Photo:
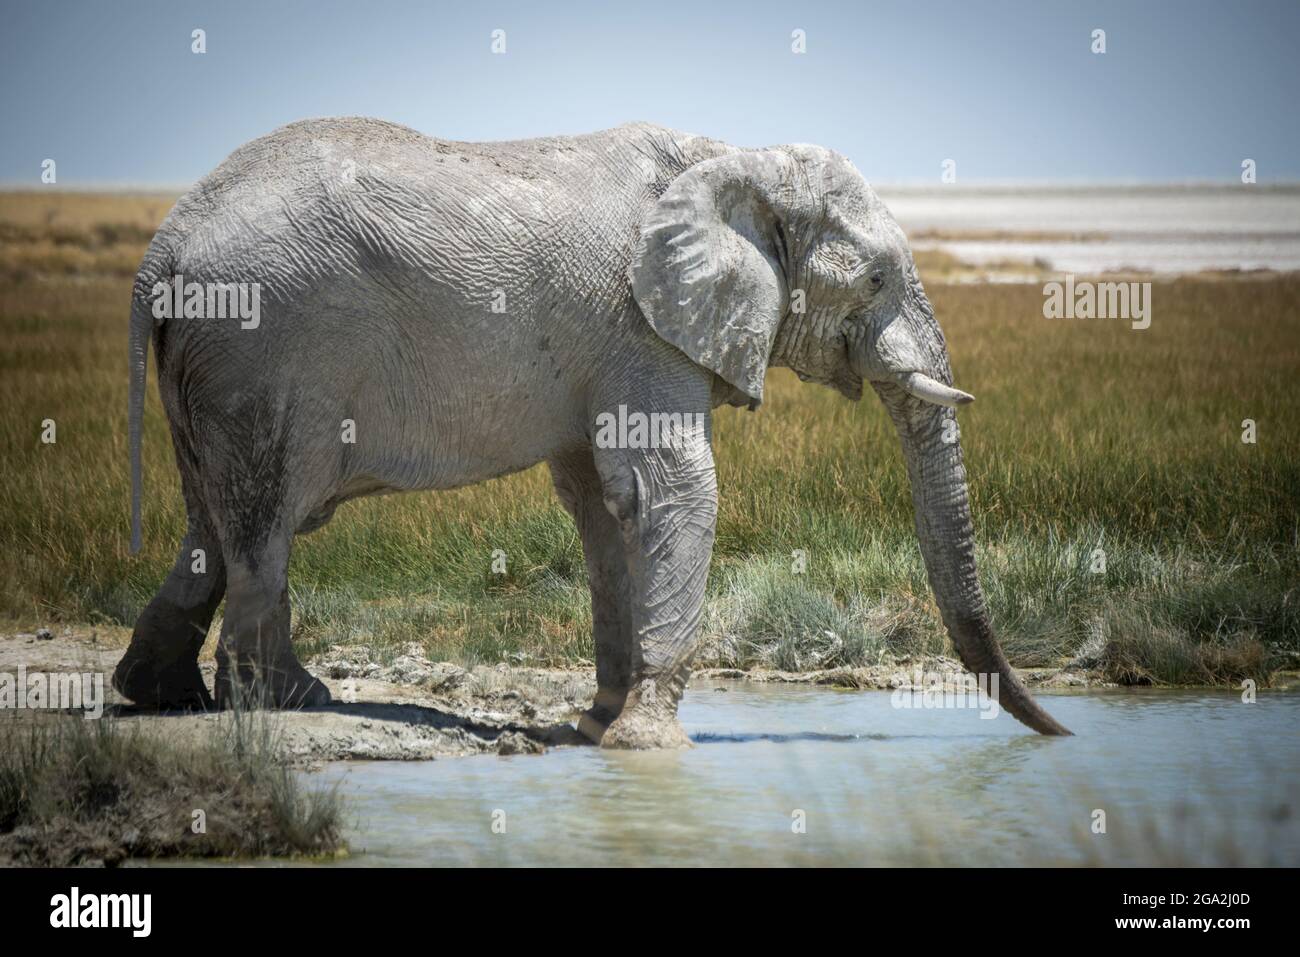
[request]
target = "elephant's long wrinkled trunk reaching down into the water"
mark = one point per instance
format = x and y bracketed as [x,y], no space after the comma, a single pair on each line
[948,548]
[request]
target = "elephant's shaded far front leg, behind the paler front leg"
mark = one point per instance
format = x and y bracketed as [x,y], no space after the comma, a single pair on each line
[579,488]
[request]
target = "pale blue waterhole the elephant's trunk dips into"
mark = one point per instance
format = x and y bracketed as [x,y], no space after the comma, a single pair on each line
[1182,778]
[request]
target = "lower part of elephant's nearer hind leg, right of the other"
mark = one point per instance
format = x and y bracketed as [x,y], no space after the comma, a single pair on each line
[257,665]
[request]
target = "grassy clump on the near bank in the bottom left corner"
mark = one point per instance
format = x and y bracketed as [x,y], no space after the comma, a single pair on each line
[77,793]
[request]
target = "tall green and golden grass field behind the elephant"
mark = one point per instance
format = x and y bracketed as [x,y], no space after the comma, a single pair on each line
[1085,436]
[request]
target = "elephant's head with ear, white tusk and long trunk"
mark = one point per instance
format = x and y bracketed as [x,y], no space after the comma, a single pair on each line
[786,257]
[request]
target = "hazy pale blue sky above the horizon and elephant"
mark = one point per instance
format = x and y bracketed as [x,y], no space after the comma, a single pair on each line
[1009,90]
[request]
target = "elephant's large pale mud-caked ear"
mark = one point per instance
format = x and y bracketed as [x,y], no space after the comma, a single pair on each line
[709,267]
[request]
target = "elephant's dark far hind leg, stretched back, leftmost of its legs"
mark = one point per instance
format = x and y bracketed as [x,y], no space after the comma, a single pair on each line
[161,669]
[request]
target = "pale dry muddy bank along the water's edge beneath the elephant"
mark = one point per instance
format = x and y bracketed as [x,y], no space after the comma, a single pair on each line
[414,709]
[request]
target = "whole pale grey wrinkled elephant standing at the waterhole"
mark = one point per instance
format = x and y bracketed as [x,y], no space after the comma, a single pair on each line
[640,267]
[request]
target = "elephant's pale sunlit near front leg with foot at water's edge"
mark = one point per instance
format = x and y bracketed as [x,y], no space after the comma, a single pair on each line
[666,504]
